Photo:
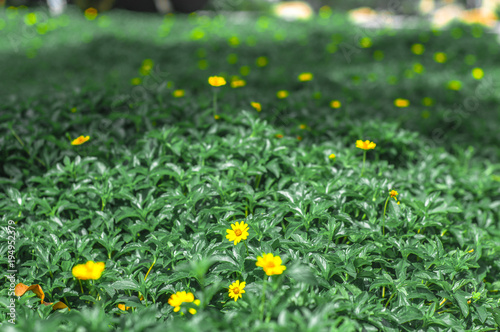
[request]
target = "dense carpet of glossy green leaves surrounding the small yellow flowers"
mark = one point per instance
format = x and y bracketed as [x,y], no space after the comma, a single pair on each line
[161,180]
